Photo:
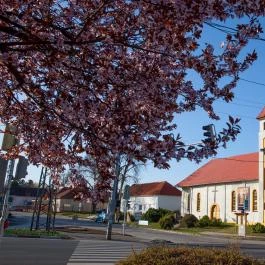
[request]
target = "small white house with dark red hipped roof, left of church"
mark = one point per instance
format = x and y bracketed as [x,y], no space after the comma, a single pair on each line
[153,195]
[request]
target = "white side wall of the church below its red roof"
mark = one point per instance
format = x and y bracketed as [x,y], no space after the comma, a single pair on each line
[223,199]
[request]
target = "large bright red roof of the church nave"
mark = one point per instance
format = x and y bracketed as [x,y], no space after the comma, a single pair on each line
[224,170]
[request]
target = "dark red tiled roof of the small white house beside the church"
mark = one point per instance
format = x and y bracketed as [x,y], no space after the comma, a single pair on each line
[154,188]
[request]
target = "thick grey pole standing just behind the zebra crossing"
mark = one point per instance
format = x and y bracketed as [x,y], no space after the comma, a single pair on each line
[112,204]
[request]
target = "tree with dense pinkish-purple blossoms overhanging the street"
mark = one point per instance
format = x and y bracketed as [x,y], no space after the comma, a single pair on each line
[102,78]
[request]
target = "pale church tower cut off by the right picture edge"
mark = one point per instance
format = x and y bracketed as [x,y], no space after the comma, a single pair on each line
[261,196]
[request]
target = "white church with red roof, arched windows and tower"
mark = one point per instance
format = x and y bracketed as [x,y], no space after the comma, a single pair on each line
[226,186]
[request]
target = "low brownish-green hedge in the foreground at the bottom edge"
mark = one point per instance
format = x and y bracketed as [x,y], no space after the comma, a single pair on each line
[192,256]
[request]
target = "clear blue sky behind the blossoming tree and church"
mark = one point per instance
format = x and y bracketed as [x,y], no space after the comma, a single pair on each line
[248,102]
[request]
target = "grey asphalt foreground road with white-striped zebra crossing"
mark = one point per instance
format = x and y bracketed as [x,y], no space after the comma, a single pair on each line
[28,251]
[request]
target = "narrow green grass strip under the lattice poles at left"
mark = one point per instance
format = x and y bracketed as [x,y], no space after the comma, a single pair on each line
[25,232]
